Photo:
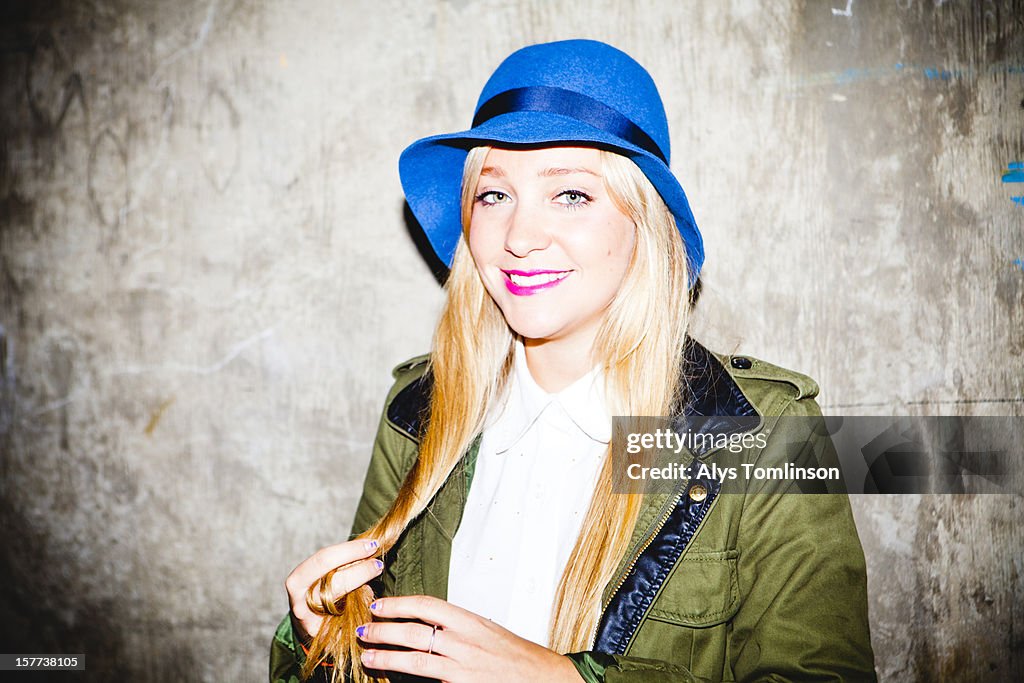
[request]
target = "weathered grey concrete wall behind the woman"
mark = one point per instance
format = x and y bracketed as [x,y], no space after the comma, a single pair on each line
[206,276]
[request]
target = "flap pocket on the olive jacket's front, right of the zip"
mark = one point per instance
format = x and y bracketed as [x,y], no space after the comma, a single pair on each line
[702,591]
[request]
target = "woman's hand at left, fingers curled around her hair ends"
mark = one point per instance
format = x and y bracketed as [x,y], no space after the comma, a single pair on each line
[353,565]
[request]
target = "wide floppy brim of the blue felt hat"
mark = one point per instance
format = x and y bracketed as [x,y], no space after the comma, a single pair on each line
[432,174]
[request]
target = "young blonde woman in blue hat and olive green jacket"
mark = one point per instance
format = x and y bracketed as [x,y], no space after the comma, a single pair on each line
[491,542]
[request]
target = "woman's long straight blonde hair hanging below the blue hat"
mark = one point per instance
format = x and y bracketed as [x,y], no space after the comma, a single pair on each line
[639,347]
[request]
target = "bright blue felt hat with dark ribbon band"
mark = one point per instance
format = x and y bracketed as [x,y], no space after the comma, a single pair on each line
[572,92]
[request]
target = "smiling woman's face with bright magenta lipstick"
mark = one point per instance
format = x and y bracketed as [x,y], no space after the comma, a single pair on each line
[549,243]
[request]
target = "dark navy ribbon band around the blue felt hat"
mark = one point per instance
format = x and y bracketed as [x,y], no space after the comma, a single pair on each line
[574,105]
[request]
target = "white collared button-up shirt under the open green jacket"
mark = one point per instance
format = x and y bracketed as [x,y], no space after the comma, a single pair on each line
[539,460]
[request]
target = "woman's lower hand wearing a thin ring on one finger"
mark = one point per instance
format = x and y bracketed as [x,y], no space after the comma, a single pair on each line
[464,648]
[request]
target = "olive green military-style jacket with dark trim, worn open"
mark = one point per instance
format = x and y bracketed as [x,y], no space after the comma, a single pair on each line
[751,585]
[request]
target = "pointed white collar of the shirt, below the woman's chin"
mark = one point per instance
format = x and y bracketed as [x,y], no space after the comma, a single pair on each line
[525,402]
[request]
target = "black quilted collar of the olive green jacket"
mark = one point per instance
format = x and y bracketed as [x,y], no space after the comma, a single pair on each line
[712,394]
